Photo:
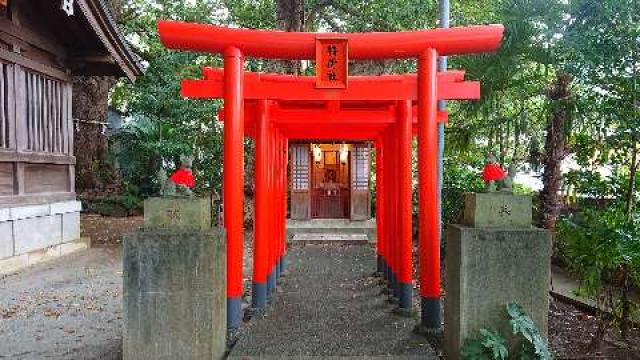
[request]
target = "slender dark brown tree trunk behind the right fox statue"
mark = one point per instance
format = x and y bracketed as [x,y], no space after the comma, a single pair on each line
[555,151]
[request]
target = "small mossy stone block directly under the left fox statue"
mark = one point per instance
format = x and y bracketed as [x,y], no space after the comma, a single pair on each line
[177,213]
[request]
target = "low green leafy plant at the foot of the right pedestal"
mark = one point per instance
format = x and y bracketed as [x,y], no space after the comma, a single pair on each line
[492,345]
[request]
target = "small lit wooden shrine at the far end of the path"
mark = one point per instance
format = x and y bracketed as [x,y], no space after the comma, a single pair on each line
[330,181]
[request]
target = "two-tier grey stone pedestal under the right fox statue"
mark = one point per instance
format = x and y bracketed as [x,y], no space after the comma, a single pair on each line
[489,267]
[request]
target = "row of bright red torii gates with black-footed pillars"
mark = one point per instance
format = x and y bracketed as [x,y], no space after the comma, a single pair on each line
[387,110]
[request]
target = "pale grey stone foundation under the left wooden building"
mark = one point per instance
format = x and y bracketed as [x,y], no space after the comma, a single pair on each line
[31,234]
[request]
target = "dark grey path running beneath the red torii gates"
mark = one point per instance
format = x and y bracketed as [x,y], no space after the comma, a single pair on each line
[328,306]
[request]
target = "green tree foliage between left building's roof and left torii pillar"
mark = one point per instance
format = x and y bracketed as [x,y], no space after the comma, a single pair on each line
[162,125]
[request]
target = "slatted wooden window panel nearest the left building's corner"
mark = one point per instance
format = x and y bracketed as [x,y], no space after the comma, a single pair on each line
[47,114]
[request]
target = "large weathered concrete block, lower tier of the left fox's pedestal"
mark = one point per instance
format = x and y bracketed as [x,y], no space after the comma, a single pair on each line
[174,295]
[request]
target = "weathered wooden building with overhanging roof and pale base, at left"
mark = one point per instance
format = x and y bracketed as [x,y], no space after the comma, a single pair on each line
[43,45]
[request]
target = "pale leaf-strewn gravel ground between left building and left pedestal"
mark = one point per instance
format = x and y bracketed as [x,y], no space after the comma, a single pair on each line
[68,308]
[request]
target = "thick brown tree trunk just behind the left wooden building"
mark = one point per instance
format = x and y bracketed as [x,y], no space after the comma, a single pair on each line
[90,103]
